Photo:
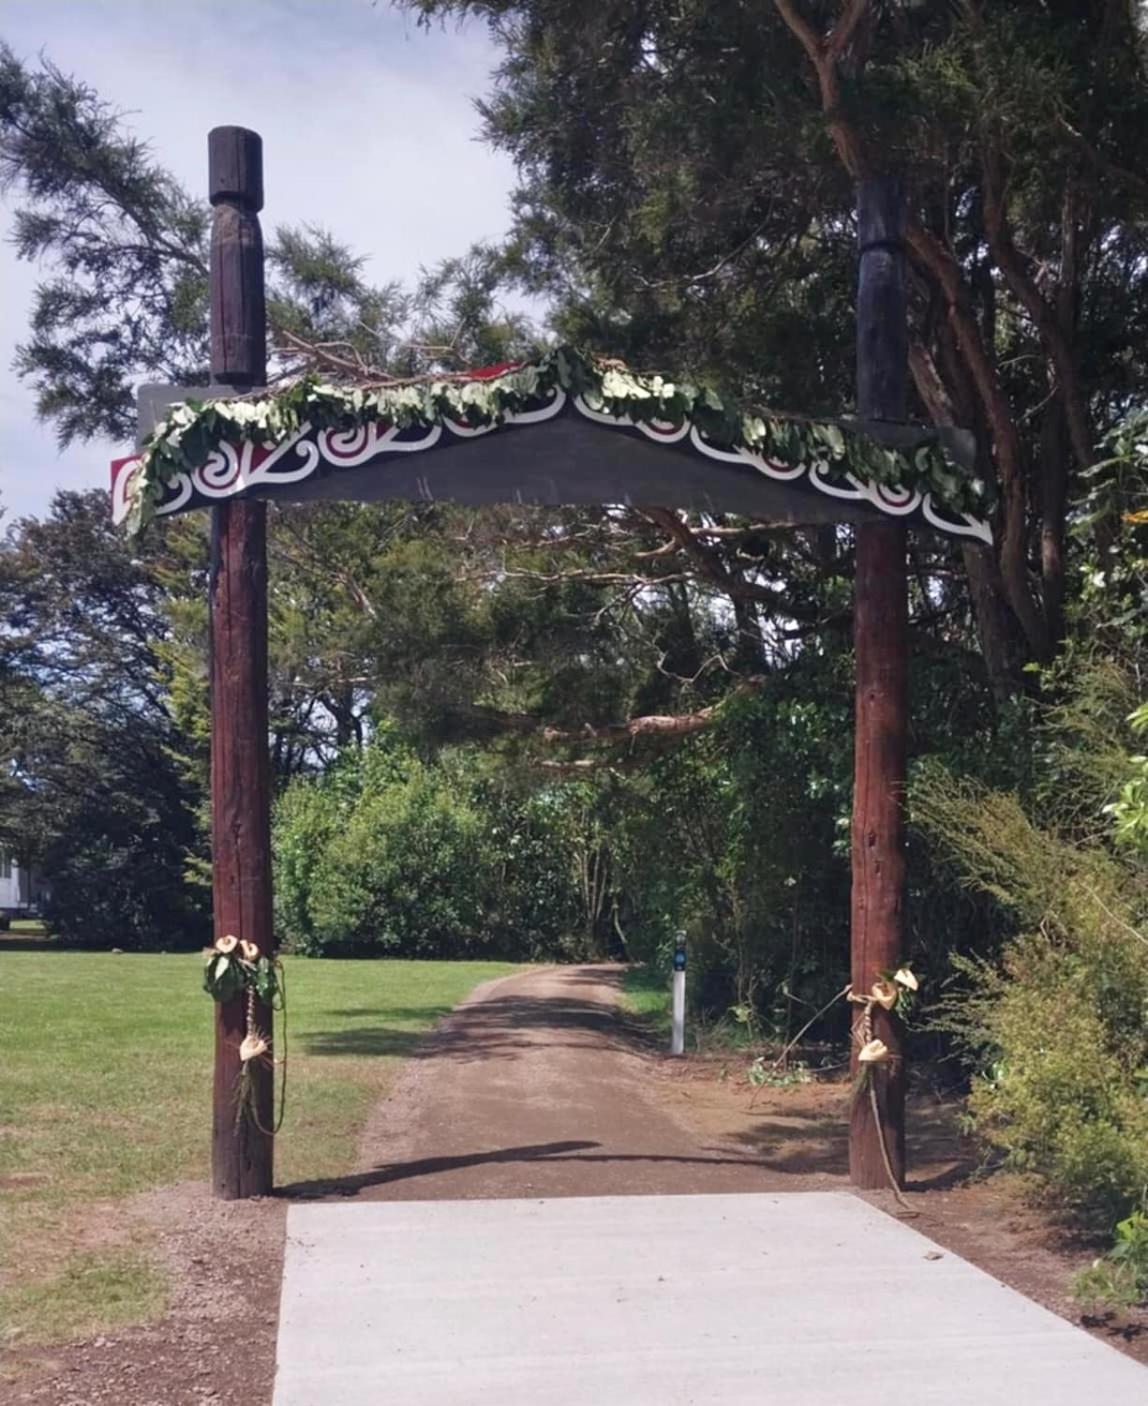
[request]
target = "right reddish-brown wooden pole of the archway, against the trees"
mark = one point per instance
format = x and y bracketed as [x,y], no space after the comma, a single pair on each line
[880,635]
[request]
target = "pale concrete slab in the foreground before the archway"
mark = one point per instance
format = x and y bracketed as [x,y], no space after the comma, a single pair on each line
[792,1300]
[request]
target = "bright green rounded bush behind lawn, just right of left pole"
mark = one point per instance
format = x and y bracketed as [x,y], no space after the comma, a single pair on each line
[390,856]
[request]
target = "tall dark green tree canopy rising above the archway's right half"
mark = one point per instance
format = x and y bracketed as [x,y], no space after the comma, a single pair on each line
[688,186]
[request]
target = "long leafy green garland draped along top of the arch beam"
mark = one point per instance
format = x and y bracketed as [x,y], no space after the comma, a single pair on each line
[195,430]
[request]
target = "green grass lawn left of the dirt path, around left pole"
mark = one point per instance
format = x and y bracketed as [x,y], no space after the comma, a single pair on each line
[106,1090]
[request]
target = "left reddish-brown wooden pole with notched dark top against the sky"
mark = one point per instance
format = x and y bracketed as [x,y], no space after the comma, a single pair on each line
[241,798]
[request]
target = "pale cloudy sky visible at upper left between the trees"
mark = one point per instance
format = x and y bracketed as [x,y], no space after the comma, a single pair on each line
[369,129]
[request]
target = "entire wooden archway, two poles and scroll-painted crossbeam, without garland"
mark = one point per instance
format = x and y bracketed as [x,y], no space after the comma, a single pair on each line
[553,448]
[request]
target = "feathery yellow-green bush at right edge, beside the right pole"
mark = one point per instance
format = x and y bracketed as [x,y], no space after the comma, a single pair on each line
[1056,1028]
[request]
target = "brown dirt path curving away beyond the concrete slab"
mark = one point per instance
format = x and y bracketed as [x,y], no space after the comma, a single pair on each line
[539,1086]
